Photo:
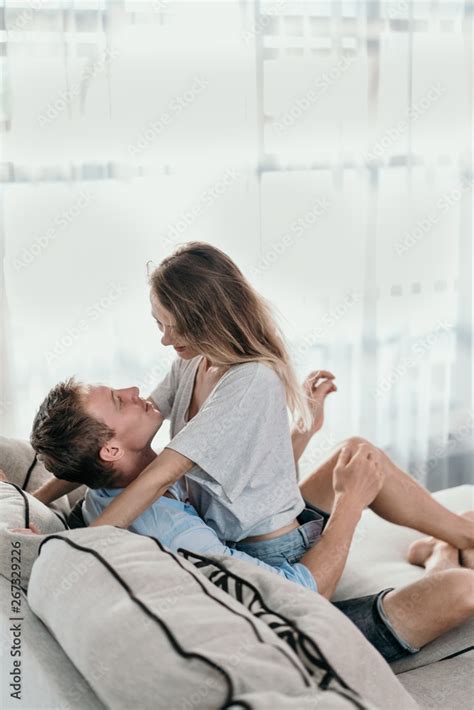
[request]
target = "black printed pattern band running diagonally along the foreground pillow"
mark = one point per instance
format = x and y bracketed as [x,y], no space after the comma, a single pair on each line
[303,645]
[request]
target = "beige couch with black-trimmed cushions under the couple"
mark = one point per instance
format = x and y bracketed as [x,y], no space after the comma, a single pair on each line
[113,619]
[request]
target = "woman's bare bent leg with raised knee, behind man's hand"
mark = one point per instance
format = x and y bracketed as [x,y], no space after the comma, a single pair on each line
[402,501]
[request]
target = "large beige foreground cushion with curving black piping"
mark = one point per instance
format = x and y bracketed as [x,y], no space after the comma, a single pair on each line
[166,634]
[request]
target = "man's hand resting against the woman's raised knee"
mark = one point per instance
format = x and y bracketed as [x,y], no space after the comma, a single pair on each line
[359,474]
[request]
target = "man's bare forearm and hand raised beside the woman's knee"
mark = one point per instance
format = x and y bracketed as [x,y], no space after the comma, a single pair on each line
[358,478]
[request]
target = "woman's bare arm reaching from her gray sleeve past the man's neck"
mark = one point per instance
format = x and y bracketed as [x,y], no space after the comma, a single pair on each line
[154,480]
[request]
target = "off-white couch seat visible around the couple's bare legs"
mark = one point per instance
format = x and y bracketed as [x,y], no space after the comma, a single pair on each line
[377,560]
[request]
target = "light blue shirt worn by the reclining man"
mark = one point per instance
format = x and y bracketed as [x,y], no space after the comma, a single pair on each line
[177,525]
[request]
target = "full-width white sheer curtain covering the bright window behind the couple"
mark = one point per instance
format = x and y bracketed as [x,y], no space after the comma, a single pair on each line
[324,145]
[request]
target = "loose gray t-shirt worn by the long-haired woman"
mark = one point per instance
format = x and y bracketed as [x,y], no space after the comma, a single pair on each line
[244,480]
